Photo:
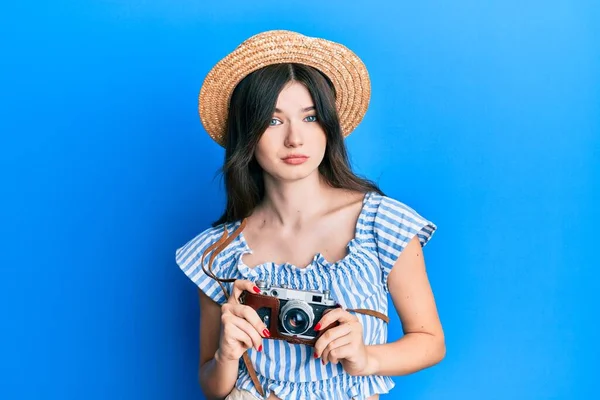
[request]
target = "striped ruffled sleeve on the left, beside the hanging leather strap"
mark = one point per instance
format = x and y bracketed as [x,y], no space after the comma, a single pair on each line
[189,258]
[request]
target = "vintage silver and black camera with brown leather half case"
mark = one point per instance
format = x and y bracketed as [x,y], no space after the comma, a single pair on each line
[294,313]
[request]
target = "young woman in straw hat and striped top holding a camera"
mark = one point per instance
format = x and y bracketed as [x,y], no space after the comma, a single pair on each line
[298,217]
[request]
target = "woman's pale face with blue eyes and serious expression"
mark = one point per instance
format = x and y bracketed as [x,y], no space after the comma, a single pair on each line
[293,145]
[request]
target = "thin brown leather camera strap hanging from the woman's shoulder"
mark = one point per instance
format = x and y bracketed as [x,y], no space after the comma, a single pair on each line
[224,241]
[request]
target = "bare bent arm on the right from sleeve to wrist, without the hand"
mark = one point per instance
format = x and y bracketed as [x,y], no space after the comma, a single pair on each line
[423,342]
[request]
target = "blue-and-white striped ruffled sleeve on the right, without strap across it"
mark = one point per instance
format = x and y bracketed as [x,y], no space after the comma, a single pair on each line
[394,226]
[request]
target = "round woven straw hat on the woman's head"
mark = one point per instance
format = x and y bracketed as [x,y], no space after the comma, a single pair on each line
[345,70]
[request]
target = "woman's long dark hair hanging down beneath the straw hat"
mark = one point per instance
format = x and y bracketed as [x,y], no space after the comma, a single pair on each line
[251,108]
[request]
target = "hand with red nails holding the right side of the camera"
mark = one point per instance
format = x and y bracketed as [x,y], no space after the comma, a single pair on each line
[344,343]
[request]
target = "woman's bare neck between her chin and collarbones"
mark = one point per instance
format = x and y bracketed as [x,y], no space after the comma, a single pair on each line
[290,204]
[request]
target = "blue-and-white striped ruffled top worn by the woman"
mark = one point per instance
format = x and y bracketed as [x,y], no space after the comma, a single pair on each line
[359,280]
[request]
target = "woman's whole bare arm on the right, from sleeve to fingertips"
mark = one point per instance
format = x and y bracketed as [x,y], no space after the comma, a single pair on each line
[423,342]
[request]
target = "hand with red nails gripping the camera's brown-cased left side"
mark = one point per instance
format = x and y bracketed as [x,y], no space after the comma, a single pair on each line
[241,327]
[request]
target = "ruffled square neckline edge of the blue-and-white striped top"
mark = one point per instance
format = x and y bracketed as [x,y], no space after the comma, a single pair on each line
[317,257]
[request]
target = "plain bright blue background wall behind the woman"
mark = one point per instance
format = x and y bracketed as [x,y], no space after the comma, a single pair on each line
[484,116]
